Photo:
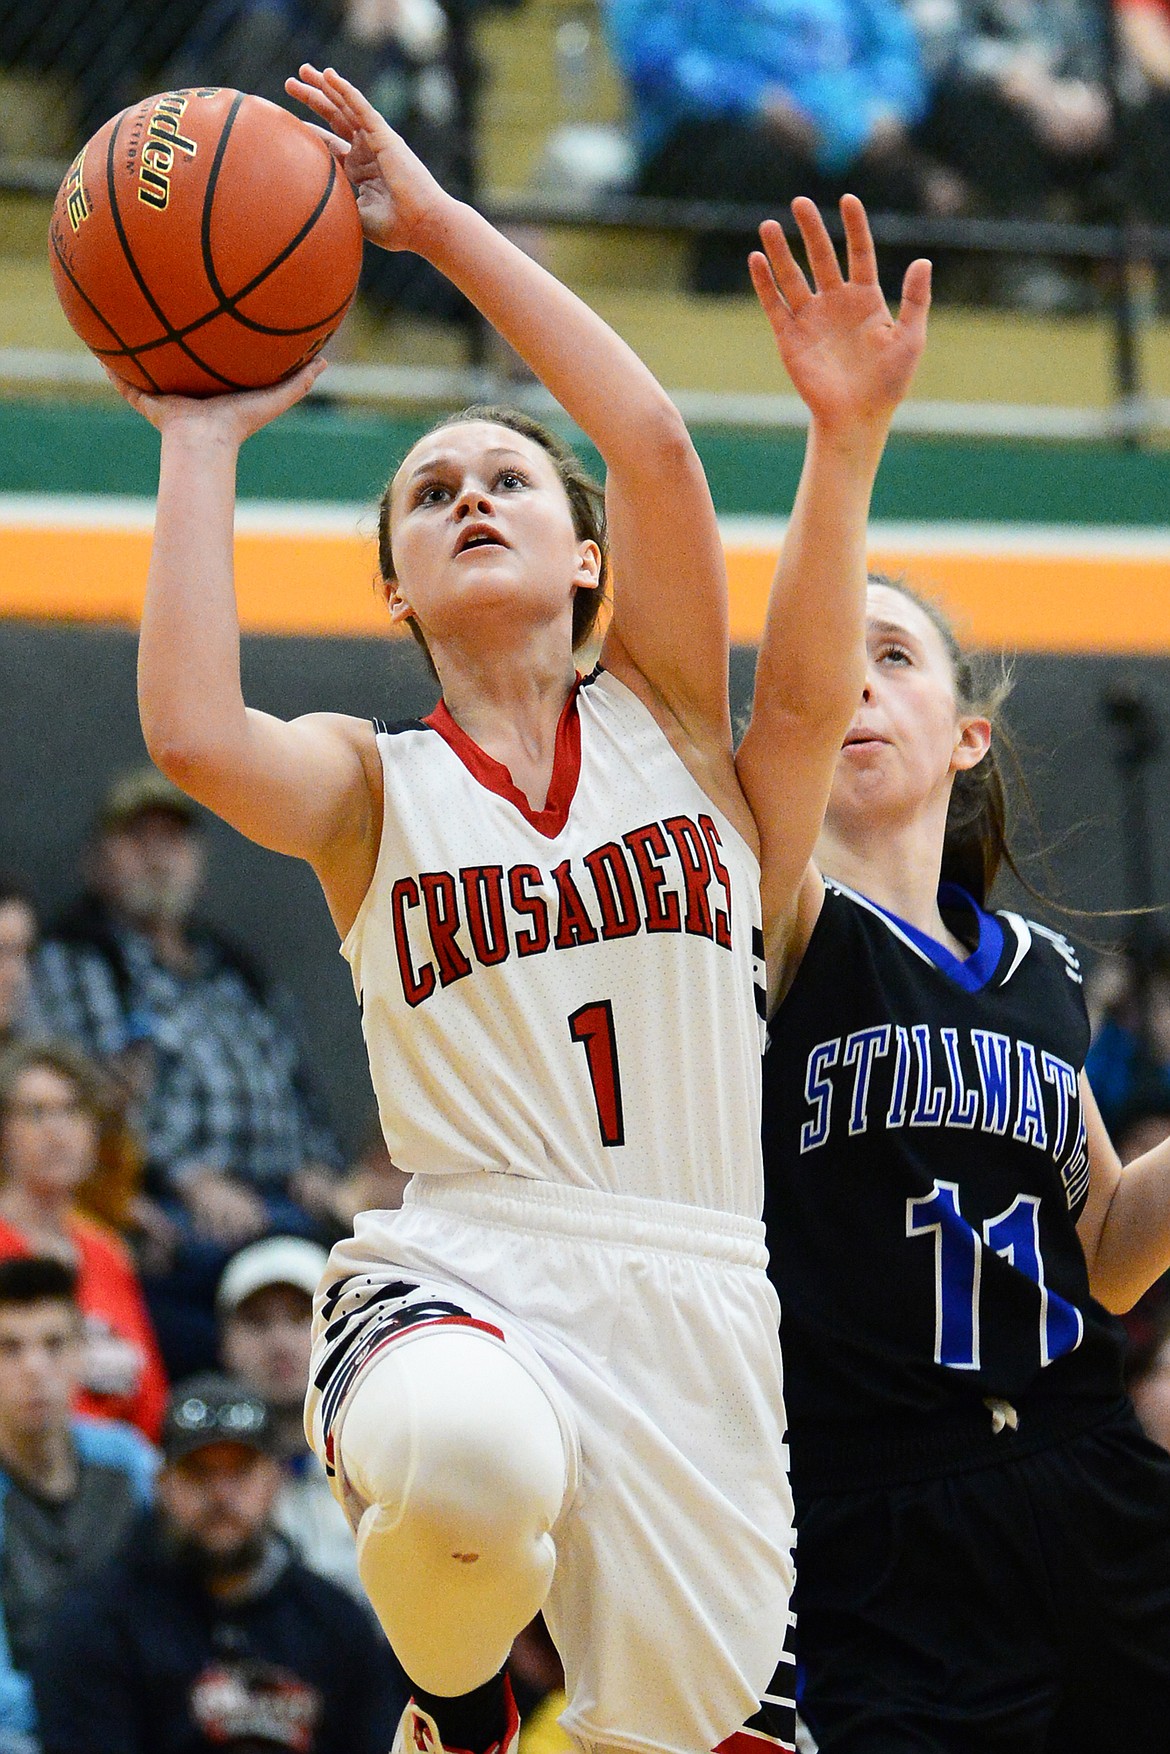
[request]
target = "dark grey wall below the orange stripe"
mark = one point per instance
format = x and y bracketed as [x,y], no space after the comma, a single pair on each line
[69,724]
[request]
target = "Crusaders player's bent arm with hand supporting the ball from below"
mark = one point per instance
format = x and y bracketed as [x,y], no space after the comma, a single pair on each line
[303,787]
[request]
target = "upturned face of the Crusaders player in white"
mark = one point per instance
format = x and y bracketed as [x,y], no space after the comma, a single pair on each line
[483,538]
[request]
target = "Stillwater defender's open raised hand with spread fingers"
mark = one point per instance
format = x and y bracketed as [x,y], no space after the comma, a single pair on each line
[846,355]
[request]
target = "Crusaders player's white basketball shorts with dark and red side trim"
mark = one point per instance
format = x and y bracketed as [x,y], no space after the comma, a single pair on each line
[653,1330]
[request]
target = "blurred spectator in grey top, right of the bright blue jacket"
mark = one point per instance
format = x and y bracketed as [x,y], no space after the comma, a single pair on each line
[1020,110]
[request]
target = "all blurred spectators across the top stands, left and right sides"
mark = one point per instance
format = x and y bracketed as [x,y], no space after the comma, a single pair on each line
[1027,110]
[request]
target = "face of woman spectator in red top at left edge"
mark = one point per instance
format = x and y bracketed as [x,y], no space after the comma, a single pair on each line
[48,1136]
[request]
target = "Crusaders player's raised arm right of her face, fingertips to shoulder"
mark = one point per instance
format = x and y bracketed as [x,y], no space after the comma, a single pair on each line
[671,601]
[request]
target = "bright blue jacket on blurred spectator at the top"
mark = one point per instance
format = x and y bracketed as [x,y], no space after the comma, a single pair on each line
[843,62]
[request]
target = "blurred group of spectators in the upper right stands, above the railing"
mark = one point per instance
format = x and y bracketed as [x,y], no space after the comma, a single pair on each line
[988,108]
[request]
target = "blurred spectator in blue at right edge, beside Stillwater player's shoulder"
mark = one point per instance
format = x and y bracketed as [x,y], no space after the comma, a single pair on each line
[1129,1064]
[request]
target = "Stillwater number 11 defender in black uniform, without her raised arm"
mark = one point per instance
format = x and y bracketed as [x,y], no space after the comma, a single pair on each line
[983,1529]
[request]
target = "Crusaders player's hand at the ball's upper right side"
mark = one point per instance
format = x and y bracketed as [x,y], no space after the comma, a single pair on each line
[397,197]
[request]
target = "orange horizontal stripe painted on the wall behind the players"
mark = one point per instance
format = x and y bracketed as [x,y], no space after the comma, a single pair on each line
[322,583]
